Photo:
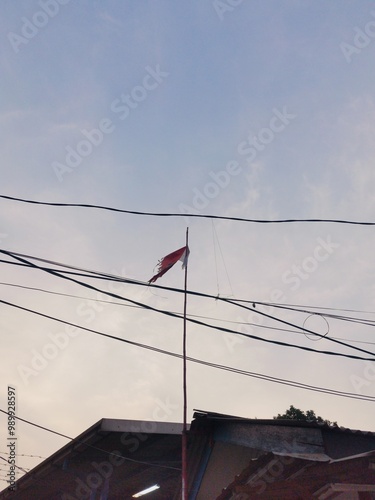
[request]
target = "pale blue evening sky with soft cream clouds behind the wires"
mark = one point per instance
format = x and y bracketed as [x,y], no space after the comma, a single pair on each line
[254,109]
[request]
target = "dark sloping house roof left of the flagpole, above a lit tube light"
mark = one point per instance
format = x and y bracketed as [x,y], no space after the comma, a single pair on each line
[133,454]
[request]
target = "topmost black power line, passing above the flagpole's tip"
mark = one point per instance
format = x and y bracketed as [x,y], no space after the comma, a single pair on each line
[203,216]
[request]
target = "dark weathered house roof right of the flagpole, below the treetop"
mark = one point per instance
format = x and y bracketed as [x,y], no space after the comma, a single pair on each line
[283,459]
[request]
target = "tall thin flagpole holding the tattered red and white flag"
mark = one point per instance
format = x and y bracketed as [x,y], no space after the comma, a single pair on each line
[184,428]
